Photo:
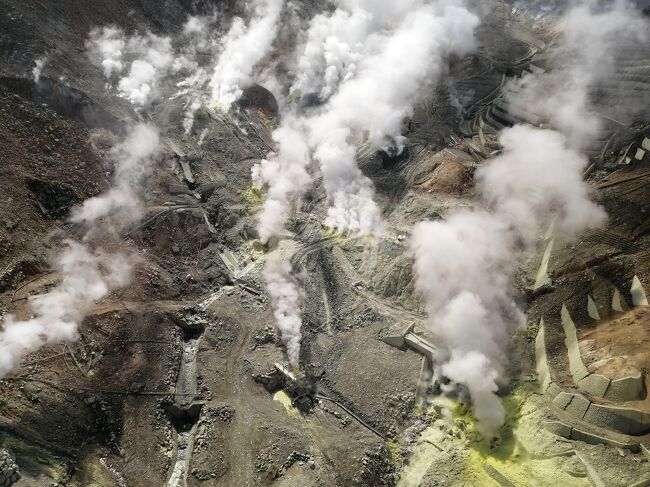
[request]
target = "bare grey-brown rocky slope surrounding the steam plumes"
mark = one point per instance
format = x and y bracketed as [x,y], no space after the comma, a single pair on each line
[172,381]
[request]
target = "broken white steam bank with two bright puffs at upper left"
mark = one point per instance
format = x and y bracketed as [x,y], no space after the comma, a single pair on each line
[215,72]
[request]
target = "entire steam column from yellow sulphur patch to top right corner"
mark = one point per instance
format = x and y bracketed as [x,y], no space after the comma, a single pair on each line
[464,265]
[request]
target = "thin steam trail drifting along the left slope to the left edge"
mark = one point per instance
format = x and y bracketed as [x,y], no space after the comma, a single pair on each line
[87,275]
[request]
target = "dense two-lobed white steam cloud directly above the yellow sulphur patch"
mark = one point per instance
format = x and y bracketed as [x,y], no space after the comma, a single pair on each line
[464,264]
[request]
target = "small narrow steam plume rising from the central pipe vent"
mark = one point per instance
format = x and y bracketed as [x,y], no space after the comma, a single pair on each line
[286,296]
